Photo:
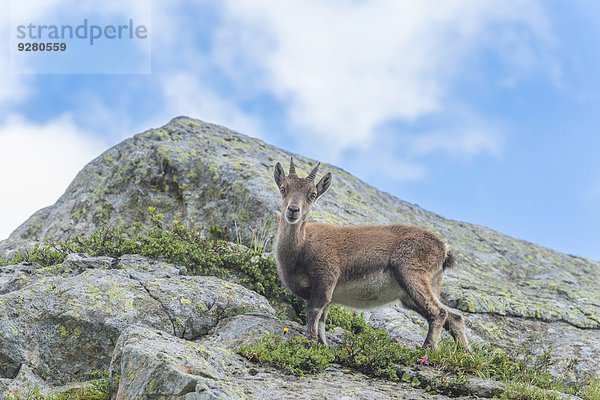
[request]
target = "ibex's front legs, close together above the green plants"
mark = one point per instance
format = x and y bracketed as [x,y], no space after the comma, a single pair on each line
[316,308]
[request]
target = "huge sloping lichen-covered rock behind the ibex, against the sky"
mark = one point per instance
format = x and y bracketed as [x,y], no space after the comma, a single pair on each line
[203,174]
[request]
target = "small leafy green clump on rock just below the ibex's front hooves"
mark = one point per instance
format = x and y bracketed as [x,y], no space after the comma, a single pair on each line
[295,356]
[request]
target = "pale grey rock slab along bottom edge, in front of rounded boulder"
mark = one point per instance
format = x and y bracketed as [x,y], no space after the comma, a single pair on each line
[151,364]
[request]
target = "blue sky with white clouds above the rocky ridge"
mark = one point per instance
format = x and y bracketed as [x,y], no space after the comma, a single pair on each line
[485,112]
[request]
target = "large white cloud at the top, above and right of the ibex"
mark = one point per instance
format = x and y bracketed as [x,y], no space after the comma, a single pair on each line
[345,68]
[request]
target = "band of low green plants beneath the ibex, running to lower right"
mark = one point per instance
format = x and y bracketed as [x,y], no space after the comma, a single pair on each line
[374,353]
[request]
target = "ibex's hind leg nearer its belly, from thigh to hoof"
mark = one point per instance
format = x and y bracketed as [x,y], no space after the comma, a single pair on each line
[418,287]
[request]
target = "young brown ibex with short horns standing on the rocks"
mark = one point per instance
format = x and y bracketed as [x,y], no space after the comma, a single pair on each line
[358,266]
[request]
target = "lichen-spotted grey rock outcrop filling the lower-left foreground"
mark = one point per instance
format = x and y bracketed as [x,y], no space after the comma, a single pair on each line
[159,333]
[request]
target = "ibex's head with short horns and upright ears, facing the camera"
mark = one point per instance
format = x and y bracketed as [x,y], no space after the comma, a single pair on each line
[299,194]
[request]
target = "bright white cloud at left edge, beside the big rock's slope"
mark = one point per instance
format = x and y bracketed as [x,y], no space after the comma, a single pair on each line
[37,162]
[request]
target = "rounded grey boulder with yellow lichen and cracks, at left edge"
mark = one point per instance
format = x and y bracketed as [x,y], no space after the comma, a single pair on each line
[65,326]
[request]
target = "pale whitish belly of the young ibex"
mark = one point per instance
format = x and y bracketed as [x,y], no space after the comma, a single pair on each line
[371,291]
